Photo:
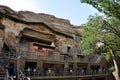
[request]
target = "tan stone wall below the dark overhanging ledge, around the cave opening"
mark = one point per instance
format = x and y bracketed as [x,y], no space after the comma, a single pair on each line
[61,42]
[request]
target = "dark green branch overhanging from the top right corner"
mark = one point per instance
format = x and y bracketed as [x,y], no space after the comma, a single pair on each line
[109,7]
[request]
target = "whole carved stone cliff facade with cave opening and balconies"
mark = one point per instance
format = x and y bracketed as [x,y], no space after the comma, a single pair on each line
[41,41]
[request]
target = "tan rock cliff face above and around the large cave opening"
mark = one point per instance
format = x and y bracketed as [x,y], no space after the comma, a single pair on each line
[43,26]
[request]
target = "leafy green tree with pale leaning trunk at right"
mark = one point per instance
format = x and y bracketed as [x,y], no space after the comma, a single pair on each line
[97,29]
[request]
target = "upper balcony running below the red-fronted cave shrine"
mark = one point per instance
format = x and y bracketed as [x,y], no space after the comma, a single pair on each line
[51,57]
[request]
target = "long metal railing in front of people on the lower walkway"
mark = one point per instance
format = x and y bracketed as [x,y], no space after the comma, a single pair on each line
[61,73]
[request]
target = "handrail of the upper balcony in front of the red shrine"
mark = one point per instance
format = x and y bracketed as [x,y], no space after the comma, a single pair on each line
[41,55]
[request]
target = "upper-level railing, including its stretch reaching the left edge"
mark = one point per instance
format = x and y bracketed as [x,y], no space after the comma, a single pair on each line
[41,55]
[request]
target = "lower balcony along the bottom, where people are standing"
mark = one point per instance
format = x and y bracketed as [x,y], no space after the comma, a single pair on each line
[41,75]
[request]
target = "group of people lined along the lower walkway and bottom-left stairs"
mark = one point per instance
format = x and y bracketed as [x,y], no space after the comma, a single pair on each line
[46,72]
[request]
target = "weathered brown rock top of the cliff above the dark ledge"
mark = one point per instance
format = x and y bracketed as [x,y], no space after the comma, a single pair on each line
[58,25]
